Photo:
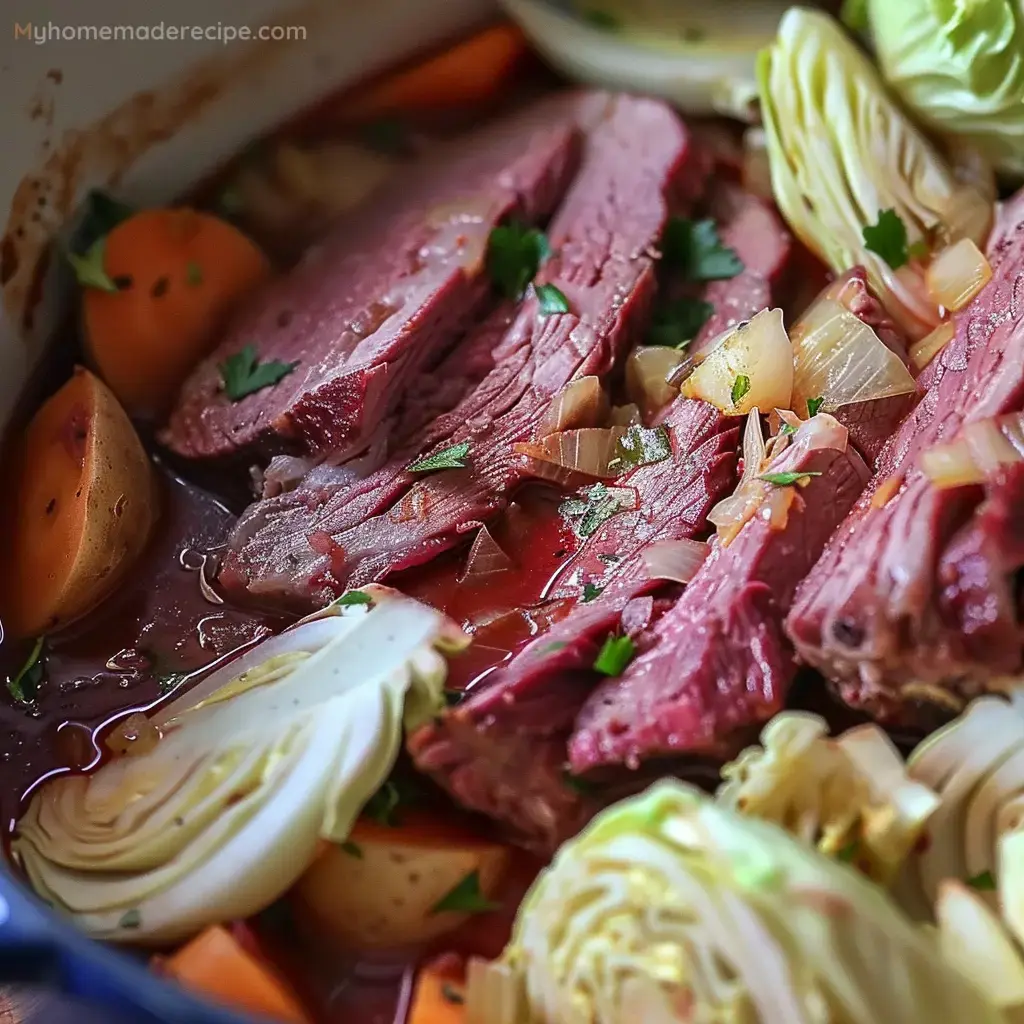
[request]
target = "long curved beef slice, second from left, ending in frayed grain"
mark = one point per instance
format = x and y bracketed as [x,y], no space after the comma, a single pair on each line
[323,540]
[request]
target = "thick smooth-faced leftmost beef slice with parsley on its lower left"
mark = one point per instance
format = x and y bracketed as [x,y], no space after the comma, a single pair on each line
[393,286]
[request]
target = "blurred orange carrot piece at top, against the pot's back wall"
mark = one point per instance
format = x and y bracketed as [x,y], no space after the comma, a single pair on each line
[472,72]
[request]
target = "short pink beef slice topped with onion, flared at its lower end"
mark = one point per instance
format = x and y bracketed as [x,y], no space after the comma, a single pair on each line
[720,665]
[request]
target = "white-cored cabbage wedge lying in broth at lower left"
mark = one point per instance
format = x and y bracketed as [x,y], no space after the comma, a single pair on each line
[225,814]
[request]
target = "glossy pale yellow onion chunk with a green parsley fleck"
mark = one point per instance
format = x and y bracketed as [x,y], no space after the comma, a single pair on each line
[752,368]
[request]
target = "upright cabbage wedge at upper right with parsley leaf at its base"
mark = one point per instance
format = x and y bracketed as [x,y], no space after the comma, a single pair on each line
[843,155]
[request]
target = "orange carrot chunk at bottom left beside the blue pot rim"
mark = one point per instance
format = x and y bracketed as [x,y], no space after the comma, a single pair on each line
[216,966]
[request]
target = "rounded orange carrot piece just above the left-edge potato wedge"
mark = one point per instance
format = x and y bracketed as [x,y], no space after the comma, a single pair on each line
[179,274]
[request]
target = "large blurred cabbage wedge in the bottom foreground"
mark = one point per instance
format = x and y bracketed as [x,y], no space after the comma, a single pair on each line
[671,909]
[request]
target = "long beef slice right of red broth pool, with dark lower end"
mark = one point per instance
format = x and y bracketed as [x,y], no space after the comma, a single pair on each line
[503,751]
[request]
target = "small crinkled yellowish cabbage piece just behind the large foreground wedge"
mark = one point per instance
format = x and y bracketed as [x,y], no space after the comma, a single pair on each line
[850,797]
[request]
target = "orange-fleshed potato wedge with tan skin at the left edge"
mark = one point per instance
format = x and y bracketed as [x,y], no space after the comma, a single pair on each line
[86,507]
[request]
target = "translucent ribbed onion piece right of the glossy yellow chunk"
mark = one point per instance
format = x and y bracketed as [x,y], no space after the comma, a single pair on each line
[840,359]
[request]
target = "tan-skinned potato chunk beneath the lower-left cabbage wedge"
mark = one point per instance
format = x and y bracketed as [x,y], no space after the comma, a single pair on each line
[380,889]
